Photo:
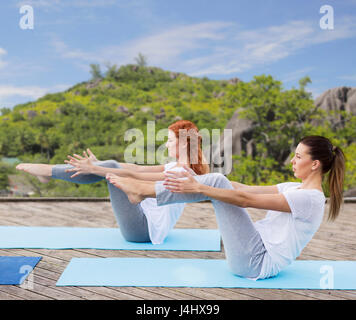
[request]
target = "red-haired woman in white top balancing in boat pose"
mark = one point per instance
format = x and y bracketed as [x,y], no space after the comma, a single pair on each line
[144,221]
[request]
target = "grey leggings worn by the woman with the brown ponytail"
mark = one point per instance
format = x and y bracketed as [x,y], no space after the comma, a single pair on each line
[243,245]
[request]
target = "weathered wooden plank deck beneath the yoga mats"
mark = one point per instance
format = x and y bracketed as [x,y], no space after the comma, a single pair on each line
[333,241]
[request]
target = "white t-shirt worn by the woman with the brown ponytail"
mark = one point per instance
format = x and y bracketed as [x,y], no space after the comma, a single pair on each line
[286,234]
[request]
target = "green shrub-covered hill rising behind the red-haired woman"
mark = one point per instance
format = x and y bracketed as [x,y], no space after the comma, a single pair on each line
[98,112]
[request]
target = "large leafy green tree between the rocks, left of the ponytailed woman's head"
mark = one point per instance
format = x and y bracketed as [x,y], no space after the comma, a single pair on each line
[280,118]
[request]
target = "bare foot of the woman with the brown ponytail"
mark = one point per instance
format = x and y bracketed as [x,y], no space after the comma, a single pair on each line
[131,187]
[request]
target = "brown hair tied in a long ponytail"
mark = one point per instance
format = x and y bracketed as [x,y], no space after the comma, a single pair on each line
[332,160]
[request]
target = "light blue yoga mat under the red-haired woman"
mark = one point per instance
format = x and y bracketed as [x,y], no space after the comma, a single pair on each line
[12,237]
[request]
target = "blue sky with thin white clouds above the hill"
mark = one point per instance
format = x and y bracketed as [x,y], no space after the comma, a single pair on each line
[218,39]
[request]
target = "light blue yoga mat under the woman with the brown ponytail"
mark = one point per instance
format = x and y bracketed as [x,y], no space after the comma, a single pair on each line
[205,273]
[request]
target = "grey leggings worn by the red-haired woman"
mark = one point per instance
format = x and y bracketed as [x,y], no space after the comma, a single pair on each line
[130,217]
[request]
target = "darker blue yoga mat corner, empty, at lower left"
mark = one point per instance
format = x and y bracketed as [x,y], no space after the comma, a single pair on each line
[14,270]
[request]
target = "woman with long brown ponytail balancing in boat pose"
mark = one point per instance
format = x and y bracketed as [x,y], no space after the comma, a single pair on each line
[261,249]
